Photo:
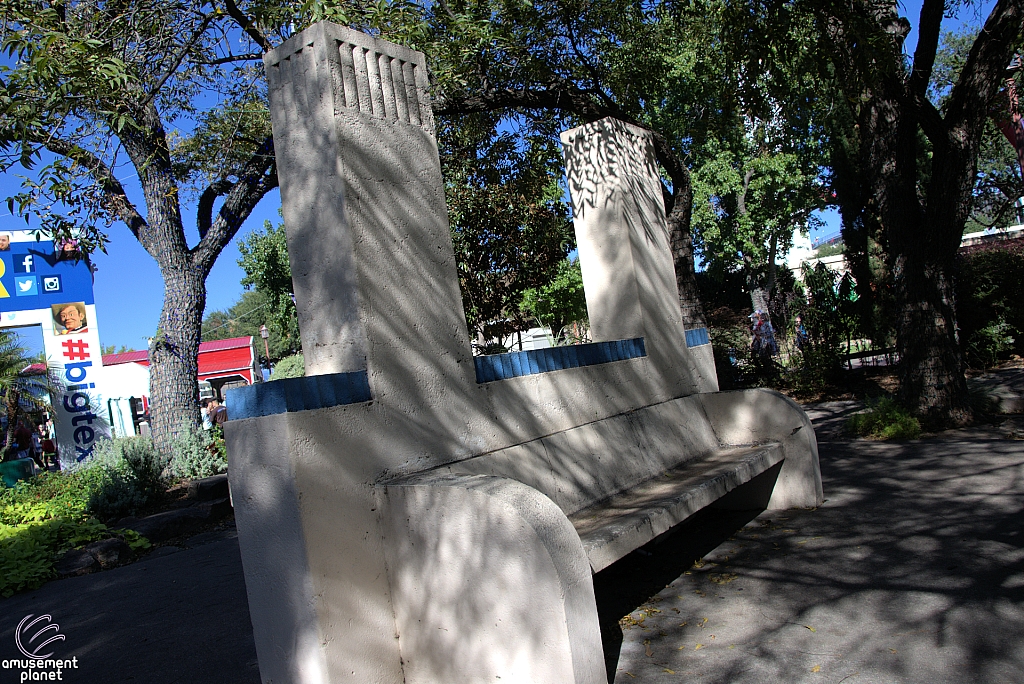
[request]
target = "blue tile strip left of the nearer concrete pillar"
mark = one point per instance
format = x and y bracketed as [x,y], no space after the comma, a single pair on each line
[294,395]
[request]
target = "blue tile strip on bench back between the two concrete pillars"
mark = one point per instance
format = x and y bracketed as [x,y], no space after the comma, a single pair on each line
[517,364]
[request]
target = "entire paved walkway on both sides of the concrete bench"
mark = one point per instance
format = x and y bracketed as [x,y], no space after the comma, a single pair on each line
[912,572]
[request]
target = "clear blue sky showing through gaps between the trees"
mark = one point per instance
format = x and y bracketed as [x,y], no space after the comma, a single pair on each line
[129,287]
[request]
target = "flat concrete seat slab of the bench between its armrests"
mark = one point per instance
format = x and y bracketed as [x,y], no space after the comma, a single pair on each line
[614,528]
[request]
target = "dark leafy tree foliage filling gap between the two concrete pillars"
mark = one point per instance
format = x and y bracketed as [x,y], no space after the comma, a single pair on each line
[510,229]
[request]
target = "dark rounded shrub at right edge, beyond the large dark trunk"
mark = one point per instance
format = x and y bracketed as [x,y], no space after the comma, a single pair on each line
[991,310]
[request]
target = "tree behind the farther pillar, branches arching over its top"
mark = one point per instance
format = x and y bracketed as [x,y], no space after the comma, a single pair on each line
[552,65]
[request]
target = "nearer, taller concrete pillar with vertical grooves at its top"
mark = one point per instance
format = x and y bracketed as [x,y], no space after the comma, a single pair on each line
[363,198]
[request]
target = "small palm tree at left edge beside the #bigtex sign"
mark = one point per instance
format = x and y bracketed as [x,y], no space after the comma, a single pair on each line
[20,387]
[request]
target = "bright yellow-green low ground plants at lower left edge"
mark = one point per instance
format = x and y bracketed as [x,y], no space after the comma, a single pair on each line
[42,519]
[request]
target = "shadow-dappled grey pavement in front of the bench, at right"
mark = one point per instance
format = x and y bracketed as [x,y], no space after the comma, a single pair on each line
[913,571]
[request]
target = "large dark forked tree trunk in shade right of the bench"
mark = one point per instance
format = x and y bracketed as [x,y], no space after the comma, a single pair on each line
[911,168]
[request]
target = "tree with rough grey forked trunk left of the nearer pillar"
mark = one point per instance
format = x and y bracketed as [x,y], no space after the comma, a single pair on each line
[94,88]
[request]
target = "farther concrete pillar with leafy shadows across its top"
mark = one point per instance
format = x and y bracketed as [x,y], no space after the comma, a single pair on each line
[625,249]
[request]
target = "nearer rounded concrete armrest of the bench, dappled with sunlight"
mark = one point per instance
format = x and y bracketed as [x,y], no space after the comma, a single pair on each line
[489,577]
